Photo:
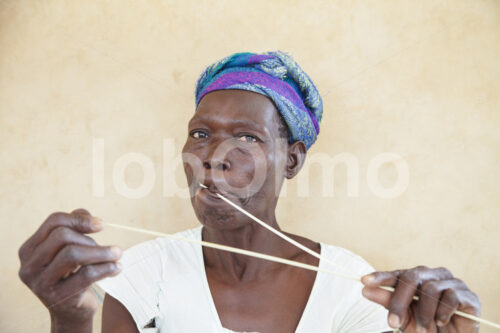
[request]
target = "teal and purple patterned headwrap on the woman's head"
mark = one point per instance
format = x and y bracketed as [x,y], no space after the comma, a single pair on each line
[277,76]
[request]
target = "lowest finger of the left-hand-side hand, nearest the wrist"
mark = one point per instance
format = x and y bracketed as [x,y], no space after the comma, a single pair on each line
[83,279]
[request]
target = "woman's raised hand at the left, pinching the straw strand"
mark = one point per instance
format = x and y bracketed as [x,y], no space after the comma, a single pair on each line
[59,263]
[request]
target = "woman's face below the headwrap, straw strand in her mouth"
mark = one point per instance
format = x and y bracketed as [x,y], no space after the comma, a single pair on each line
[234,147]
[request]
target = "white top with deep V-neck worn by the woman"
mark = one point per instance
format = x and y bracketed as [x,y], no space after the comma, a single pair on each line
[164,280]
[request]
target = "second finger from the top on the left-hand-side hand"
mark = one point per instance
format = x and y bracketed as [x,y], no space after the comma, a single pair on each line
[57,239]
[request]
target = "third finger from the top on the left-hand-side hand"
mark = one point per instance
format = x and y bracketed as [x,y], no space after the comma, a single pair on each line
[71,256]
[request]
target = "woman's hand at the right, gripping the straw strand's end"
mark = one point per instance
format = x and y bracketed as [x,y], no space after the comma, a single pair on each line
[440,294]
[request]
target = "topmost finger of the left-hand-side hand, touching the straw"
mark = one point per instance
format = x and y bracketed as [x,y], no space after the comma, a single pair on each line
[79,220]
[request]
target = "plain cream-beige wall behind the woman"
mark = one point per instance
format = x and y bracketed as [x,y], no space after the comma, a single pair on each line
[420,79]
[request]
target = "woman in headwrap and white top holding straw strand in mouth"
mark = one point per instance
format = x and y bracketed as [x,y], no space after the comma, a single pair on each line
[256,116]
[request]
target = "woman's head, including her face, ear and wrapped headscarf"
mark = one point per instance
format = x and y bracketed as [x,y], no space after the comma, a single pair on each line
[256,117]
